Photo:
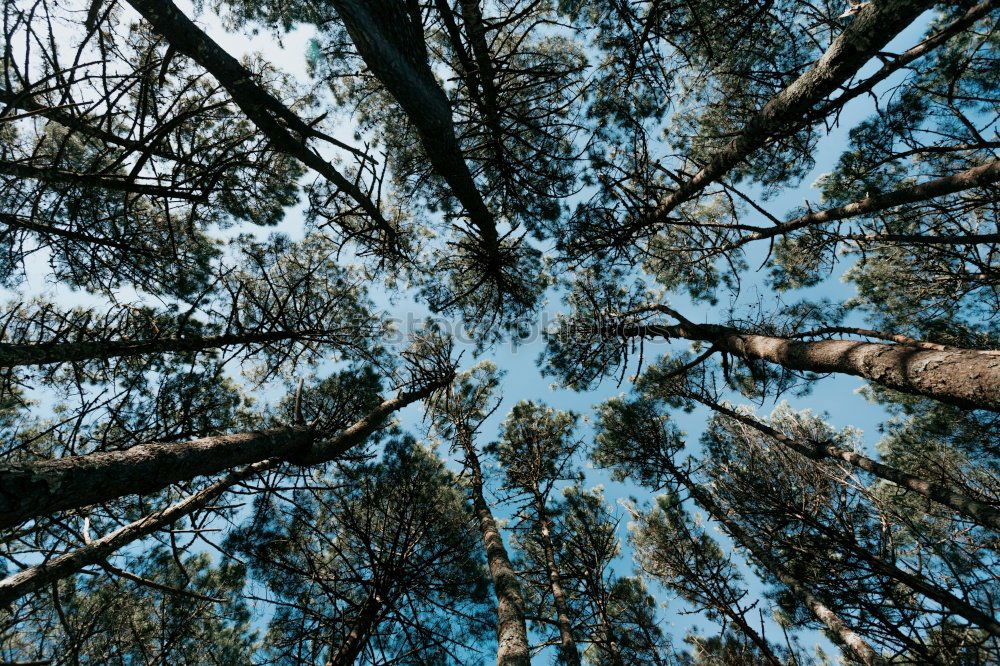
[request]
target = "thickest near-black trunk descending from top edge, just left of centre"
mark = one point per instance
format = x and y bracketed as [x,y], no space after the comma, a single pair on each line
[390,39]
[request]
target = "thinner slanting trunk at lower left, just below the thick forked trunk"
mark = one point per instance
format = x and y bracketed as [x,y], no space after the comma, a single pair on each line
[95,552]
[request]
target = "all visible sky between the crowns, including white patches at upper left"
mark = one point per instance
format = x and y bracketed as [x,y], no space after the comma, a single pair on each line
[837,396]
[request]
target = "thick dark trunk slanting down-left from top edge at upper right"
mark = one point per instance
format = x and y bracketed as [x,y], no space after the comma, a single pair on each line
[872,28]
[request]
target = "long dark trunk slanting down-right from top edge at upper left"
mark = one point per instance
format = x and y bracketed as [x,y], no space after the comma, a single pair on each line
[269,115]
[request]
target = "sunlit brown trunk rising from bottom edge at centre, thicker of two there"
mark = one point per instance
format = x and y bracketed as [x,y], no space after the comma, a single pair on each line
[512,631]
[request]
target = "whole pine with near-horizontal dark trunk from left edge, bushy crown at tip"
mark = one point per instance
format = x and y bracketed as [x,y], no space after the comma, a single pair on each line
[277,306]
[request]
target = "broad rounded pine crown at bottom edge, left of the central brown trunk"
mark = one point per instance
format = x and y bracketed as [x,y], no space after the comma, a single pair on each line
[373,562]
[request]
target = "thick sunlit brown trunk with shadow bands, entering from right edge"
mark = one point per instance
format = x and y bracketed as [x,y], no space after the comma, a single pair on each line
[967,378]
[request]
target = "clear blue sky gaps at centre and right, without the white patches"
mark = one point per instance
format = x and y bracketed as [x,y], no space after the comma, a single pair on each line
[836,396]
